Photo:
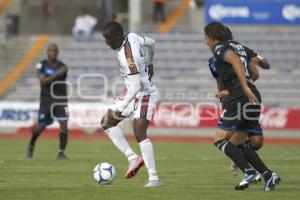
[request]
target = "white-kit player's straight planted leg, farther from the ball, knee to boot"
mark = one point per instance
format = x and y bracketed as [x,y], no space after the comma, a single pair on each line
[140,127]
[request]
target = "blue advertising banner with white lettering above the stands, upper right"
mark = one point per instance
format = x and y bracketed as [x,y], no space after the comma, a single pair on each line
[253,11]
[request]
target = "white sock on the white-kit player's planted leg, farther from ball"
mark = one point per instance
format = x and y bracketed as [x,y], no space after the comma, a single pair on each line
[148,156]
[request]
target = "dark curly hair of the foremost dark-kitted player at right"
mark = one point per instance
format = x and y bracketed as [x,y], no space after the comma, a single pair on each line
[218,31]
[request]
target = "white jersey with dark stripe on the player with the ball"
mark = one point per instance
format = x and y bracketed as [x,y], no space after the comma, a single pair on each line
[133,60]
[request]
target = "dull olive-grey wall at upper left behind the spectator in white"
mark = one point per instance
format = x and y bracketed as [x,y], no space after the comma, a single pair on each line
[61,20]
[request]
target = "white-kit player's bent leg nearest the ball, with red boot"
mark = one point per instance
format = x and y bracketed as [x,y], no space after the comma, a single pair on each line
[109,124]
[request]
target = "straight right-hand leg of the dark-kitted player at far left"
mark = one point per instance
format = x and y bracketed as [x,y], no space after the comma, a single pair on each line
[63,140]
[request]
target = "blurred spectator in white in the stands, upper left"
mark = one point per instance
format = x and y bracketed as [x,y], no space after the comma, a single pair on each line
[84,26]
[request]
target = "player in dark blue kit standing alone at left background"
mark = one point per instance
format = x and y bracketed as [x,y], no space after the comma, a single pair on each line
[52,75]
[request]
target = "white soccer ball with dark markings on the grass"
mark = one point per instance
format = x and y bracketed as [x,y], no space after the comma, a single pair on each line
[104,173]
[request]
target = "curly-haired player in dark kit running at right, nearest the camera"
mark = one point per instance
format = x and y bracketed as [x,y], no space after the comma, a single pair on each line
[241,112]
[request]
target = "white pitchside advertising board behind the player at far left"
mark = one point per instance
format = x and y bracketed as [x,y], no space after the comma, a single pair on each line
[22,115]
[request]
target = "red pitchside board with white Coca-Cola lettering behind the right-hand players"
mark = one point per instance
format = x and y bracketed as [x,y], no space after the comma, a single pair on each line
[196,117]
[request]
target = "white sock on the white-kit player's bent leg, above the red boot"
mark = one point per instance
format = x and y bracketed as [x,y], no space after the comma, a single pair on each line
[117,137]
